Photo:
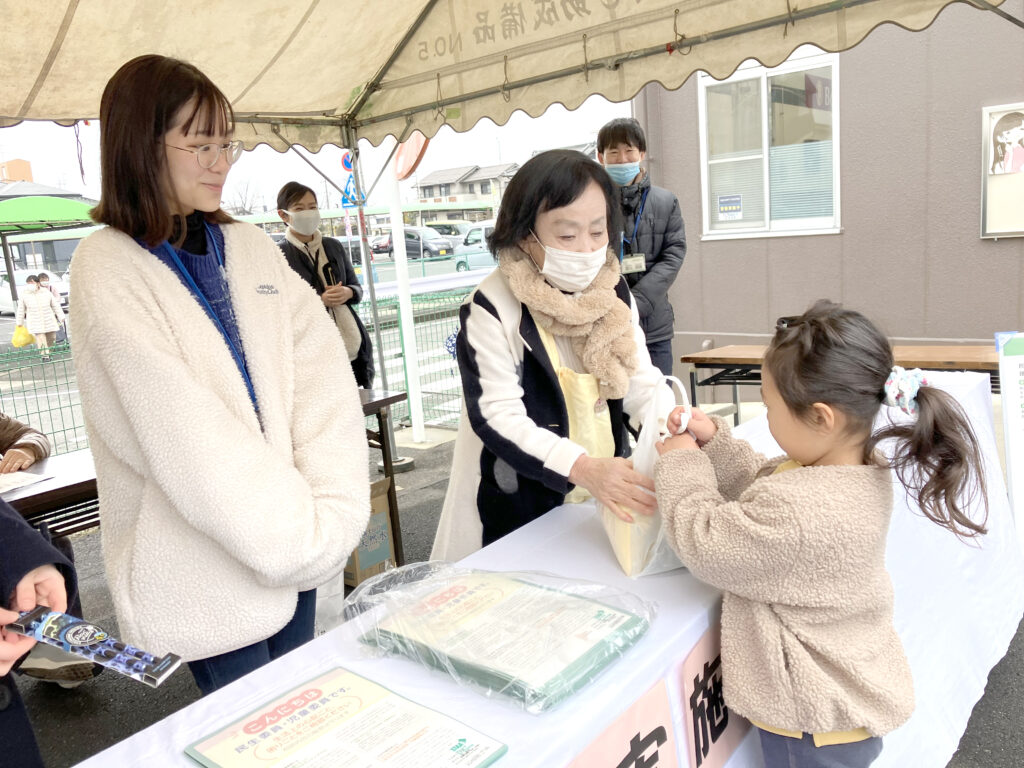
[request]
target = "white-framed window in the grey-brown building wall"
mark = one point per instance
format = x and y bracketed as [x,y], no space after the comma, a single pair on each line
[770,149]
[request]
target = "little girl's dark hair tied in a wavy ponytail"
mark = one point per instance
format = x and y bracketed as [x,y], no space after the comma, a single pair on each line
[838,357]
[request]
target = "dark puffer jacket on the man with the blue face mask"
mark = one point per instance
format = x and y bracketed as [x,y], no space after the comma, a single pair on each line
[662,239]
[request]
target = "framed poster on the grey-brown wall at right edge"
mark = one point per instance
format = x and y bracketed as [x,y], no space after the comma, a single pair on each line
[1003,172]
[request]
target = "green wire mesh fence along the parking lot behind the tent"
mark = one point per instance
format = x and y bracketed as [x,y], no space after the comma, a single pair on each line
[44,393]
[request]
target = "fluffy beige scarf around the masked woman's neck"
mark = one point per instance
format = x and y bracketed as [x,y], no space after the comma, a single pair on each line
[596,321]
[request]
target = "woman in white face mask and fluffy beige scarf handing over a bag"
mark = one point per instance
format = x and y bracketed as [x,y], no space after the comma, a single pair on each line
[553,364]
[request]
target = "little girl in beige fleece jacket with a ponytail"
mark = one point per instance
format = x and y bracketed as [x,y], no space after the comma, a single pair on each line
[809,652]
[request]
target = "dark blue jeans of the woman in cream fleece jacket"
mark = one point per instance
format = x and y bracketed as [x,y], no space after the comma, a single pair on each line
[217,672]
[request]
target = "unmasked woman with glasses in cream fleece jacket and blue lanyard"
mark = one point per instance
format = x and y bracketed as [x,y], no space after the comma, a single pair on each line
[229,491]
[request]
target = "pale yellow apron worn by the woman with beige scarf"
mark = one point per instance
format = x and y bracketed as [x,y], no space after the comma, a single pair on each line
[590,422]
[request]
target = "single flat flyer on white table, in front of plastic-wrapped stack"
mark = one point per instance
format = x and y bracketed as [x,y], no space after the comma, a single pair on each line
[344,719]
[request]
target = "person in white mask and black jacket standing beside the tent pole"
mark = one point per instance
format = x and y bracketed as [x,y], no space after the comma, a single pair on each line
[324,264]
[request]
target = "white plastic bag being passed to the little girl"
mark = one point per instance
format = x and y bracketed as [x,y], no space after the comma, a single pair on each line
[642,546]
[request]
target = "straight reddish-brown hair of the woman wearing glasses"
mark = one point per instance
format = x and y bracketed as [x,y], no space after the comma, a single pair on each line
[139,106]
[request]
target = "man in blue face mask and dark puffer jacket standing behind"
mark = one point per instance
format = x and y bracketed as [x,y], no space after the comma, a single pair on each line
[653,244]
